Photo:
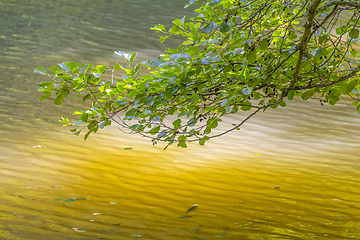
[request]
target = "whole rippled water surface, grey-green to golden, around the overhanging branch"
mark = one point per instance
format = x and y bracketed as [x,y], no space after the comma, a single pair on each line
[288,174]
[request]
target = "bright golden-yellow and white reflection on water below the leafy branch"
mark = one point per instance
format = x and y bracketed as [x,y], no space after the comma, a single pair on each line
[275,179]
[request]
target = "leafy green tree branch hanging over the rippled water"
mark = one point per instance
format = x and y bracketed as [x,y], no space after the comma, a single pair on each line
[237,56]
